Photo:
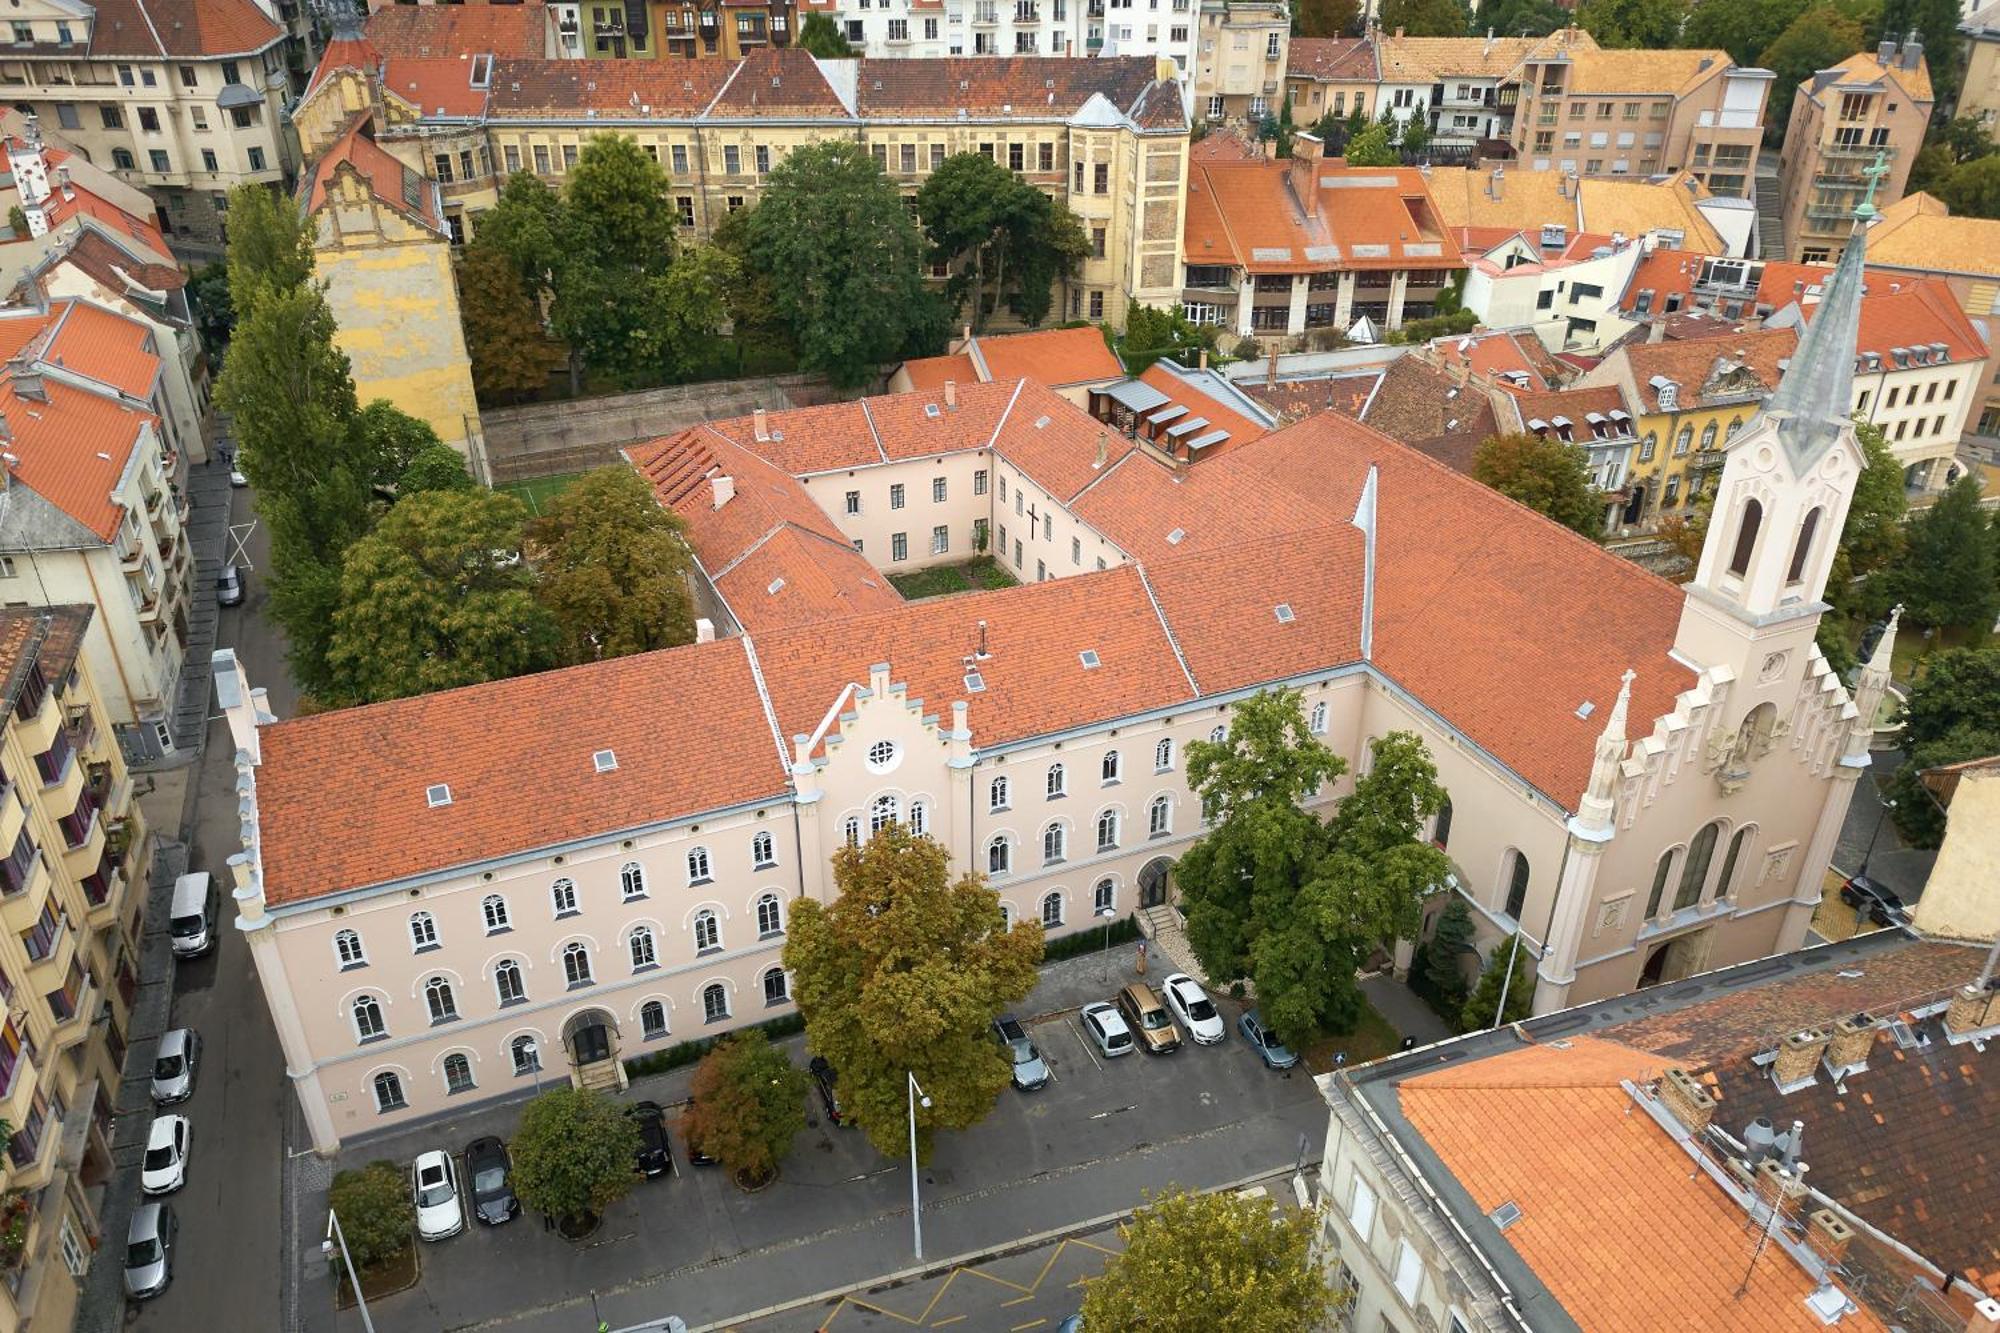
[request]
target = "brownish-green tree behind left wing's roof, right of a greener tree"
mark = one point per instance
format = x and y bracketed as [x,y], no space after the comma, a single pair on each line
[613,567]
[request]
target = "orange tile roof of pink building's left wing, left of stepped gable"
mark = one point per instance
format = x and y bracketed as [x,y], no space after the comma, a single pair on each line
[519,762]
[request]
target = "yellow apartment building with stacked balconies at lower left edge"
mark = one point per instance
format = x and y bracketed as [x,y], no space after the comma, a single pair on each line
[73,890]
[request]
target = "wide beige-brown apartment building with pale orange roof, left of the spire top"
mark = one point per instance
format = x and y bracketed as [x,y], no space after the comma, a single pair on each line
[1641,113]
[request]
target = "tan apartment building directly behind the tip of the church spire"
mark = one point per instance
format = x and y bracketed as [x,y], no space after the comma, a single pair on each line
[1869,109]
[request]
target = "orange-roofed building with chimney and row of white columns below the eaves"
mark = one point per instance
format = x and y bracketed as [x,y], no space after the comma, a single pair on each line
[1295,247]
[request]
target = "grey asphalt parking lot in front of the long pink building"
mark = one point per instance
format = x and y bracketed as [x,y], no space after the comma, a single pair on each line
[1095,1142]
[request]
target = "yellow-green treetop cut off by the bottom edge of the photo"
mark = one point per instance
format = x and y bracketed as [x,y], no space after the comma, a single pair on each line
[1213,1262]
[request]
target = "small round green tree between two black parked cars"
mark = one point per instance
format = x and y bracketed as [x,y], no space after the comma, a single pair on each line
[573,1154]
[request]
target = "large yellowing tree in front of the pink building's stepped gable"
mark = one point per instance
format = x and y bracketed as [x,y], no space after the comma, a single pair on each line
[903,974]
